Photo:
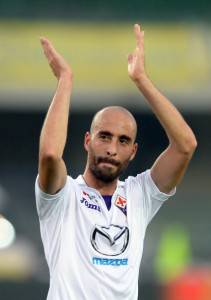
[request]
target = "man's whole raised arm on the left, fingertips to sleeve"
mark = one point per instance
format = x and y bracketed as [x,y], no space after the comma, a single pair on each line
[52,169]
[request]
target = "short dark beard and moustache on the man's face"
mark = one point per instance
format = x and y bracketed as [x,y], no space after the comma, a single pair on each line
[107,173]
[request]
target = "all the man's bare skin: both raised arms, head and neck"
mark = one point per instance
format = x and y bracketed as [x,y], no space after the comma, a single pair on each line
[169,168]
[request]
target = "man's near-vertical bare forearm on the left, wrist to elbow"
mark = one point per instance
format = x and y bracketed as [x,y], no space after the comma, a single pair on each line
[54,132]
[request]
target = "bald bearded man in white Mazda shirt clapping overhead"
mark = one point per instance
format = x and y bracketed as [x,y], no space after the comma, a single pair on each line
[93,227]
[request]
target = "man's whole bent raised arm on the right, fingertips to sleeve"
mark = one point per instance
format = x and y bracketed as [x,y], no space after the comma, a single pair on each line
[170,166]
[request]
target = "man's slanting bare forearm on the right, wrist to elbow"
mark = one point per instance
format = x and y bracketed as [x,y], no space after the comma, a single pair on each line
[179,133]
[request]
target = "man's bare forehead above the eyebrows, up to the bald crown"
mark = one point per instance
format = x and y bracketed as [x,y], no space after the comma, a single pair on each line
[116,122]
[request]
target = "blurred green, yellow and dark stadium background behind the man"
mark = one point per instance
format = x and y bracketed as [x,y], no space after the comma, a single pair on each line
[96,37]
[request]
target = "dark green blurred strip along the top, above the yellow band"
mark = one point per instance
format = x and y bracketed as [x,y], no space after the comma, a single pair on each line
[107,10]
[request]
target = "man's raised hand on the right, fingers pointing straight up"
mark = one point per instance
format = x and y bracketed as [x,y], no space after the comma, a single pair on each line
[136,59]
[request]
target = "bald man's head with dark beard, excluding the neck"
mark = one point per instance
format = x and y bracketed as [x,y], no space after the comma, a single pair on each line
[111,142]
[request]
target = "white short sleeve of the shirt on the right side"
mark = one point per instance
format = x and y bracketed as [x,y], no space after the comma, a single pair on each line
[152,197]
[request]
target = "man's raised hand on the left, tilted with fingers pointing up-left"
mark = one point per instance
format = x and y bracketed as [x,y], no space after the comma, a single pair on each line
[57,63]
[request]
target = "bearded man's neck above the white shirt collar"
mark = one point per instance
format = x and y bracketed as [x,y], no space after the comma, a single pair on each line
[102,187]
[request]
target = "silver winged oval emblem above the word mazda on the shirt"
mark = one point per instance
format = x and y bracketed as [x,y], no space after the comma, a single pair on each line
[111,241]
